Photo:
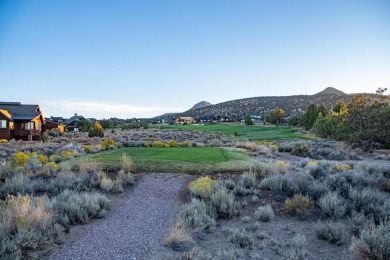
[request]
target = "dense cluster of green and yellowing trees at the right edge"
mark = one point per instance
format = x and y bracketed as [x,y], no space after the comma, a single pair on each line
[363,122]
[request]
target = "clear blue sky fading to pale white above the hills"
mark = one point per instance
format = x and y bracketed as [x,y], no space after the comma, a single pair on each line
[130,59]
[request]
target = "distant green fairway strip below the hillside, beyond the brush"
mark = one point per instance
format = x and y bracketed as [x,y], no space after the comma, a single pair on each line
[245,132]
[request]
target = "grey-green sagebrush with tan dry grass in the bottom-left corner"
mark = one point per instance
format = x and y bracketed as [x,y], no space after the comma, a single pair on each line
[27,230]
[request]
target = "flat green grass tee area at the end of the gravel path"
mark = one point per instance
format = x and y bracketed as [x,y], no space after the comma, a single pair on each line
[189,160]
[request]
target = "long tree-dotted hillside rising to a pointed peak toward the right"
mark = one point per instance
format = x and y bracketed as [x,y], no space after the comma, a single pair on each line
[293,105]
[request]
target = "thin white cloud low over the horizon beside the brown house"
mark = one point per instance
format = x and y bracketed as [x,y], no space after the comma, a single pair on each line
[104,109]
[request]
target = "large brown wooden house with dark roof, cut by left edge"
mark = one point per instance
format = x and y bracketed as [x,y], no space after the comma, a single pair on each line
[20,122]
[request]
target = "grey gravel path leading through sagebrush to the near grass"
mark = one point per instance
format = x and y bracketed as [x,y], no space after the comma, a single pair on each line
[133,226]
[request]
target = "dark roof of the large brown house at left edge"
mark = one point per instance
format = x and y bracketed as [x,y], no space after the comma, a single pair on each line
[19,111]
